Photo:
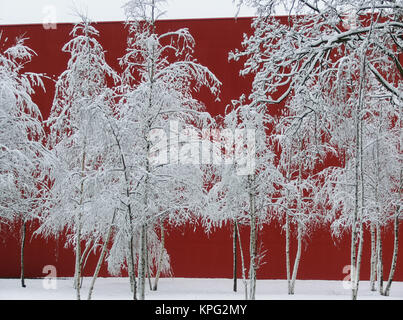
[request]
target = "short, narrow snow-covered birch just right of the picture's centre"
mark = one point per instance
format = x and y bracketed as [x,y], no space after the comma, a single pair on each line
[247,179]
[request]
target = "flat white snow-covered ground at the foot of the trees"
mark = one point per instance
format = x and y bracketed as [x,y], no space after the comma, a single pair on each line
[188,289]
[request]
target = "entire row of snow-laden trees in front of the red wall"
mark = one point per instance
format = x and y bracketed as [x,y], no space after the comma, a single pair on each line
[129,152]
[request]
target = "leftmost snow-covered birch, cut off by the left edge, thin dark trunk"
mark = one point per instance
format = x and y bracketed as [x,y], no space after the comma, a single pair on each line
[23,158]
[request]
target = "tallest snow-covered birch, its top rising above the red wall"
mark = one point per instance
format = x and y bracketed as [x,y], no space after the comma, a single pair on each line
[159,79]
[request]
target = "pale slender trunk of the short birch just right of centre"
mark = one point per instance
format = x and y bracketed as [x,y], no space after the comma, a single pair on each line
[252,249]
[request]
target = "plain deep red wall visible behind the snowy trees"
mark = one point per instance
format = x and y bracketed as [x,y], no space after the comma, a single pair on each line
[193,253]
